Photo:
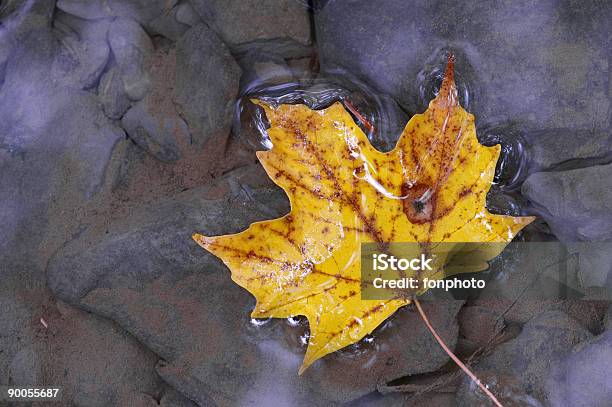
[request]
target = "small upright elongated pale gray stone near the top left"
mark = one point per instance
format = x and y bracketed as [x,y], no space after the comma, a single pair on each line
[132,49]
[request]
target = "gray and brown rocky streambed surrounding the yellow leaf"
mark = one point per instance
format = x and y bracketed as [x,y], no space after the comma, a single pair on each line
[119,137]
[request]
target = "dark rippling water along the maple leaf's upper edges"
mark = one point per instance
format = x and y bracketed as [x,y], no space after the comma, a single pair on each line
[382,121]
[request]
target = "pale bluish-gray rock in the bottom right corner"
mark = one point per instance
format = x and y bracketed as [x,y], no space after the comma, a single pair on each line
[583,378]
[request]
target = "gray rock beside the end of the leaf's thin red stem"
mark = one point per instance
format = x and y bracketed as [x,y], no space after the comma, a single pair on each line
[518,369]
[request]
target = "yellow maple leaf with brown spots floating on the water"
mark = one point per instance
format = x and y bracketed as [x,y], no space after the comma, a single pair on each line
[343,192]
